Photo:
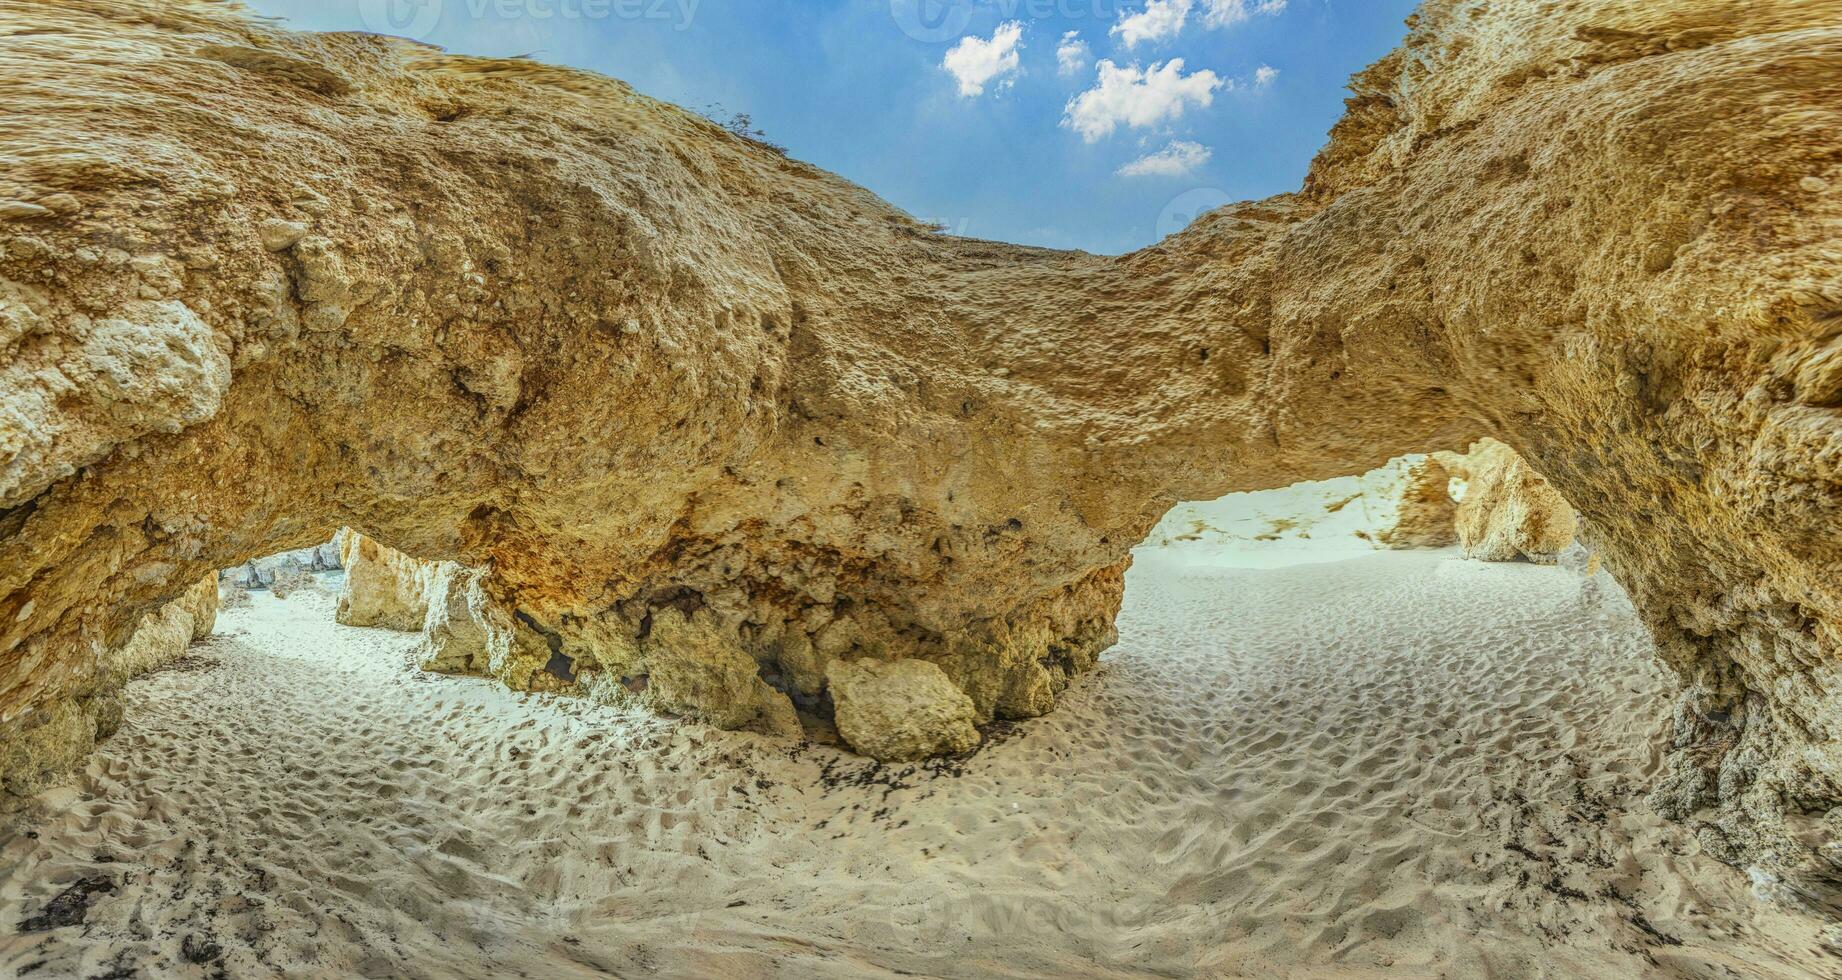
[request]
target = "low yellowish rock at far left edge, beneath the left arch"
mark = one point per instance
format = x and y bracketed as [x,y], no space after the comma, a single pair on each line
[62,734]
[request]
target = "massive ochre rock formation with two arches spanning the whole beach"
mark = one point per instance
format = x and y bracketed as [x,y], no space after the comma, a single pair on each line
[686,399]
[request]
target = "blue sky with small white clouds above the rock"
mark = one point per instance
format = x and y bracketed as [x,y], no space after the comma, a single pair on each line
[968,111]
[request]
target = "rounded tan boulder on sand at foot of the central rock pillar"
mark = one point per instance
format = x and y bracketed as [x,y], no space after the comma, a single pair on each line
[902,710]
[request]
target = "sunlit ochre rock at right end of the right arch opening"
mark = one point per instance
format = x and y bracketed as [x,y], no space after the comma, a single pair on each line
[1510,513]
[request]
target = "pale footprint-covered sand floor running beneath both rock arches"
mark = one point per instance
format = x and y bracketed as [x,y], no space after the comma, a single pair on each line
[1390,765]
